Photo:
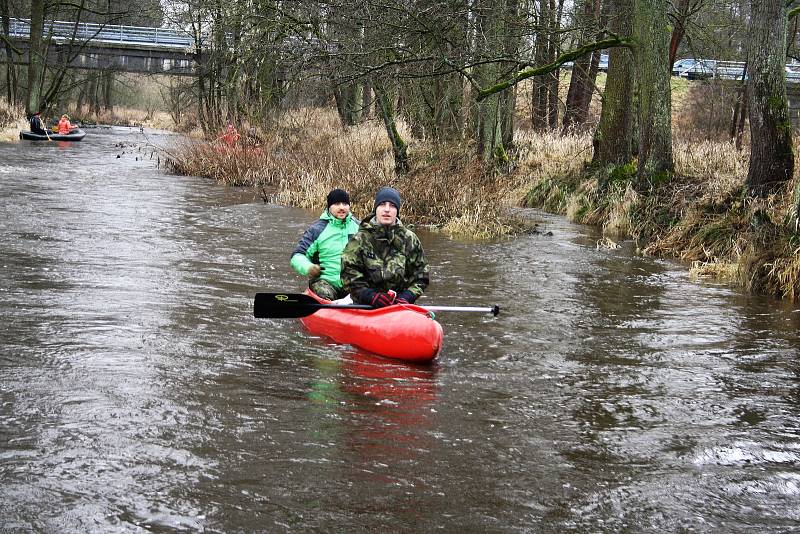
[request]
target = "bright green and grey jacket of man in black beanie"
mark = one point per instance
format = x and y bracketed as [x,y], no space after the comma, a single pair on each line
[322,243]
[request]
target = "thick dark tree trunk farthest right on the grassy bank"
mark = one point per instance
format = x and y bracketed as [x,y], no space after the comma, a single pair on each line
[771,154]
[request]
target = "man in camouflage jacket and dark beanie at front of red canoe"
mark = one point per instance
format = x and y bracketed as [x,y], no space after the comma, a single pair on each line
[384,264]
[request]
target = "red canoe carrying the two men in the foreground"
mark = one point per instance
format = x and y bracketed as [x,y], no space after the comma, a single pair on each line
[402,331]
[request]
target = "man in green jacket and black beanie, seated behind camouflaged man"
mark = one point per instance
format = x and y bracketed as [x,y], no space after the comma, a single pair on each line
[319,252]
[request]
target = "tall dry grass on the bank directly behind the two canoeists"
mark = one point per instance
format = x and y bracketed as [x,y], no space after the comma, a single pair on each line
[308,153]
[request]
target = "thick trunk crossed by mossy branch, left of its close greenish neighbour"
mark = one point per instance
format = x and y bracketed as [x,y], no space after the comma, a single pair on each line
[614,137]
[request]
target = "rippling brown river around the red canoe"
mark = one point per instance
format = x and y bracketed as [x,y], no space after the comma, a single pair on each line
[138,393]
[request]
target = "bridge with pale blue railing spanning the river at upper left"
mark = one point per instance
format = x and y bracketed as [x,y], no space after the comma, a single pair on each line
[85,45]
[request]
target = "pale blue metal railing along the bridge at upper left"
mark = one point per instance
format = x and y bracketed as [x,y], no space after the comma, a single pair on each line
[110,33]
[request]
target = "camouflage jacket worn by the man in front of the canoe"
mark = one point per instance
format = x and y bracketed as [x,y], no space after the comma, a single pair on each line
[383,258]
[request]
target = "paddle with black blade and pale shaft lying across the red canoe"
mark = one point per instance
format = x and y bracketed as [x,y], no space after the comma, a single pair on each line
[293,305]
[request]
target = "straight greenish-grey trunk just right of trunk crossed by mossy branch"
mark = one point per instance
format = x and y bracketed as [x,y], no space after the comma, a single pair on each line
[655,122]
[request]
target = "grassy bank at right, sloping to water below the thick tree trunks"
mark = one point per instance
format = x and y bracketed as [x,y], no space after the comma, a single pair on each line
[702,216]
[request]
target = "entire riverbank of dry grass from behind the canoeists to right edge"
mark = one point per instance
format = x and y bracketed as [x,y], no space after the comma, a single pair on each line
[701,216]
